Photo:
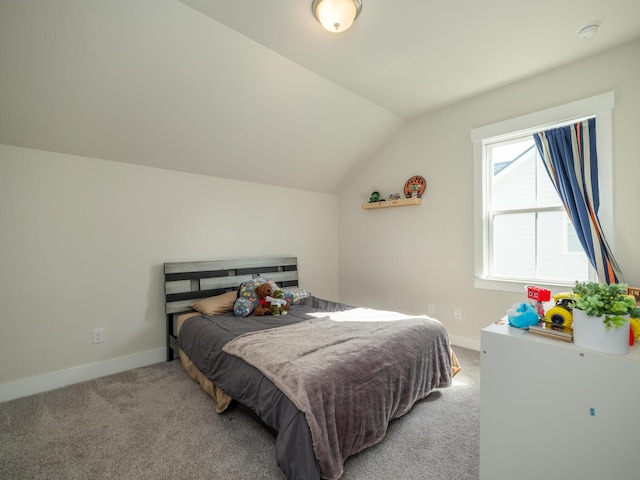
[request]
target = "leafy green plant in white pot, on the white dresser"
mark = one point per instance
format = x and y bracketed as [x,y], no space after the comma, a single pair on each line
[601,315]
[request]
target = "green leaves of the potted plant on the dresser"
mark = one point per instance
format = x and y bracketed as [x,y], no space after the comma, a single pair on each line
[608,300]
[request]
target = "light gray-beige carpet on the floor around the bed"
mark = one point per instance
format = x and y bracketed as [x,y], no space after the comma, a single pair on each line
[156,423]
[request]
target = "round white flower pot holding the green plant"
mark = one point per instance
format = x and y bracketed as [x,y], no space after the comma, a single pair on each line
[591,333]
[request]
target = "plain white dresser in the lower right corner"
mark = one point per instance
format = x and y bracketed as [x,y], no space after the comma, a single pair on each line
[551,410]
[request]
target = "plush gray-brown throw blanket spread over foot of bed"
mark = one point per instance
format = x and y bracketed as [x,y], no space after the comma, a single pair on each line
[350,377]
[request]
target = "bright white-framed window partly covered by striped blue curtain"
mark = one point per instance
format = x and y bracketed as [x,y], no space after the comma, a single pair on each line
[522,233]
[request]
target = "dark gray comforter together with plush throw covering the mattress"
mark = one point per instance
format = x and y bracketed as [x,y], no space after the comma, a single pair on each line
[320,426]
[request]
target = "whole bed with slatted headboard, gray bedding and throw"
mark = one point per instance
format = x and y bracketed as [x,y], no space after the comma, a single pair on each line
[326,379]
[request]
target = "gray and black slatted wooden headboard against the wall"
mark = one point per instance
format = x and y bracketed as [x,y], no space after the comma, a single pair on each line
[186,282]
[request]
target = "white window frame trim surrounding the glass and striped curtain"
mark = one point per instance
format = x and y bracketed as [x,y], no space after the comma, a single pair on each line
[602,107]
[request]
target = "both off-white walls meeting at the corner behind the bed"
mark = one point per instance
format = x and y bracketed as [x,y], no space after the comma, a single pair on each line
[82,241]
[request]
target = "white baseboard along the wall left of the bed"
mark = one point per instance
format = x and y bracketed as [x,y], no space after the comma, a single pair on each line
[62,378]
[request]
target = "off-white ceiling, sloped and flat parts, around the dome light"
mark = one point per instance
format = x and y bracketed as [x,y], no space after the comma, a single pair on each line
[256,90]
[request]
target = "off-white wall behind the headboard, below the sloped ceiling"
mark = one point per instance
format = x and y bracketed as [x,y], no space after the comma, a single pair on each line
[83,242]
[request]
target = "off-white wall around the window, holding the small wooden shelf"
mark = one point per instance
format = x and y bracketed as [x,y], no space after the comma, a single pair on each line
[406,258]
